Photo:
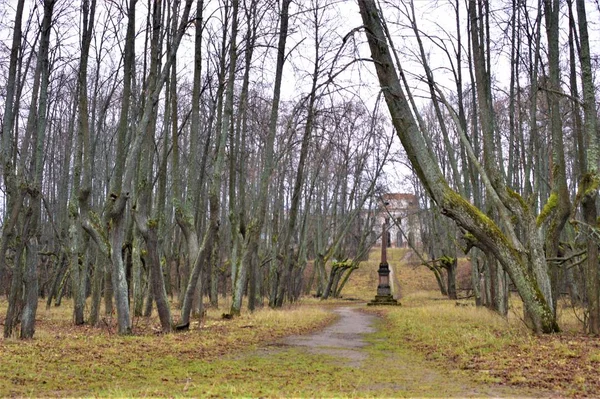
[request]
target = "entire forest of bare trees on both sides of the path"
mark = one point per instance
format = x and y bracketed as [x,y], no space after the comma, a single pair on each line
[160,153]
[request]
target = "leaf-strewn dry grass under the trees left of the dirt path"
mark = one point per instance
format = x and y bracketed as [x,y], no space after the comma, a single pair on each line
[64,360]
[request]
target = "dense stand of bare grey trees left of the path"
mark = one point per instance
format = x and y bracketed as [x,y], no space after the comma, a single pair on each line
[148,151]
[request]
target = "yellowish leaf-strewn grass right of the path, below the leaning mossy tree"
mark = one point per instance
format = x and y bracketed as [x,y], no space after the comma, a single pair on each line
[493,349]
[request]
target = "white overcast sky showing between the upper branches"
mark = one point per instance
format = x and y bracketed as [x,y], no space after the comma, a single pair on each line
[433,16]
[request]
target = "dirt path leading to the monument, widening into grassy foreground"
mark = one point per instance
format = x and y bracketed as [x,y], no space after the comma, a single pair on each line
[363,366]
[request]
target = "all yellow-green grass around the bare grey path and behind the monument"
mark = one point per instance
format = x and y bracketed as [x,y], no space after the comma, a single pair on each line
[427,347]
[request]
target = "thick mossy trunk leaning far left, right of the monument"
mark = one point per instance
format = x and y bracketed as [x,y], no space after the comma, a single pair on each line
[514,257]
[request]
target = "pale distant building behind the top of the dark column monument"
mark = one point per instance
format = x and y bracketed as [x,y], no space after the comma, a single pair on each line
[402,211]
